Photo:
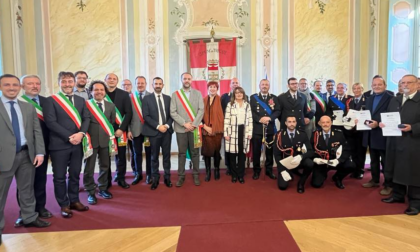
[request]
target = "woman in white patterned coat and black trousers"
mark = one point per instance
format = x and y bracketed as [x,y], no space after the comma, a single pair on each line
[238,132]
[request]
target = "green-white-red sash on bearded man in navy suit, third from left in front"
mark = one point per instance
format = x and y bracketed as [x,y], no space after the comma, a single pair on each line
[72,112]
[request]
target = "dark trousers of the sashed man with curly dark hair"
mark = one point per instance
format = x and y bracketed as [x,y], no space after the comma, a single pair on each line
[104,167]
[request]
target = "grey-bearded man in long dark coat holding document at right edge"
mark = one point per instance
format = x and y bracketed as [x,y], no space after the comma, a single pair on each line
[404,151]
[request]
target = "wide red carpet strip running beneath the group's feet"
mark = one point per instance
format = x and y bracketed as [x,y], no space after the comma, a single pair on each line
[212,202]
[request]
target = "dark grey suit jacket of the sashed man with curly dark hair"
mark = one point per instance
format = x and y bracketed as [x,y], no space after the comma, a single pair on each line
[99,137]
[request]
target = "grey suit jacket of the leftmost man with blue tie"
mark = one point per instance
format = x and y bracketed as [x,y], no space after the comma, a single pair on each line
[33,135]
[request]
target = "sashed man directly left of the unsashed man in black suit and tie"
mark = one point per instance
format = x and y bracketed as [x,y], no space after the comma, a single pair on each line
[135,133]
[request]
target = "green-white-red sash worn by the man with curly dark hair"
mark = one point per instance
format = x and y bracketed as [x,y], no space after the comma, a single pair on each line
[105,124]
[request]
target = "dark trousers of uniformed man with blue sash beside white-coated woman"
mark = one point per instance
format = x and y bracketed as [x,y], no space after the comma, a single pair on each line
[256,154]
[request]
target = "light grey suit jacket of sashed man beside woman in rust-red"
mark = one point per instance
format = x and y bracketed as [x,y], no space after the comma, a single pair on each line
[179,114]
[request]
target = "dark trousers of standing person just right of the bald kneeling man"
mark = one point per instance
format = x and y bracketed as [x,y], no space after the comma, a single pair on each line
[358,152]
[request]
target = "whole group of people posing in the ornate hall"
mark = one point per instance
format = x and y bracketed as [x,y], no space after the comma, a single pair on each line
[97,122]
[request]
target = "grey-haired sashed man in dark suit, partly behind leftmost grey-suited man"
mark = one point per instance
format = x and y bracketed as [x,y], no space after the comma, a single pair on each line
[31,85]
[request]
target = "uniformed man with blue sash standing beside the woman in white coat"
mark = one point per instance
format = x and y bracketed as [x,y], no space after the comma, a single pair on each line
[265,110]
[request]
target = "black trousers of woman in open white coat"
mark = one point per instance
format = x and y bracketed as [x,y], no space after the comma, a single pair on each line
[237,160]
